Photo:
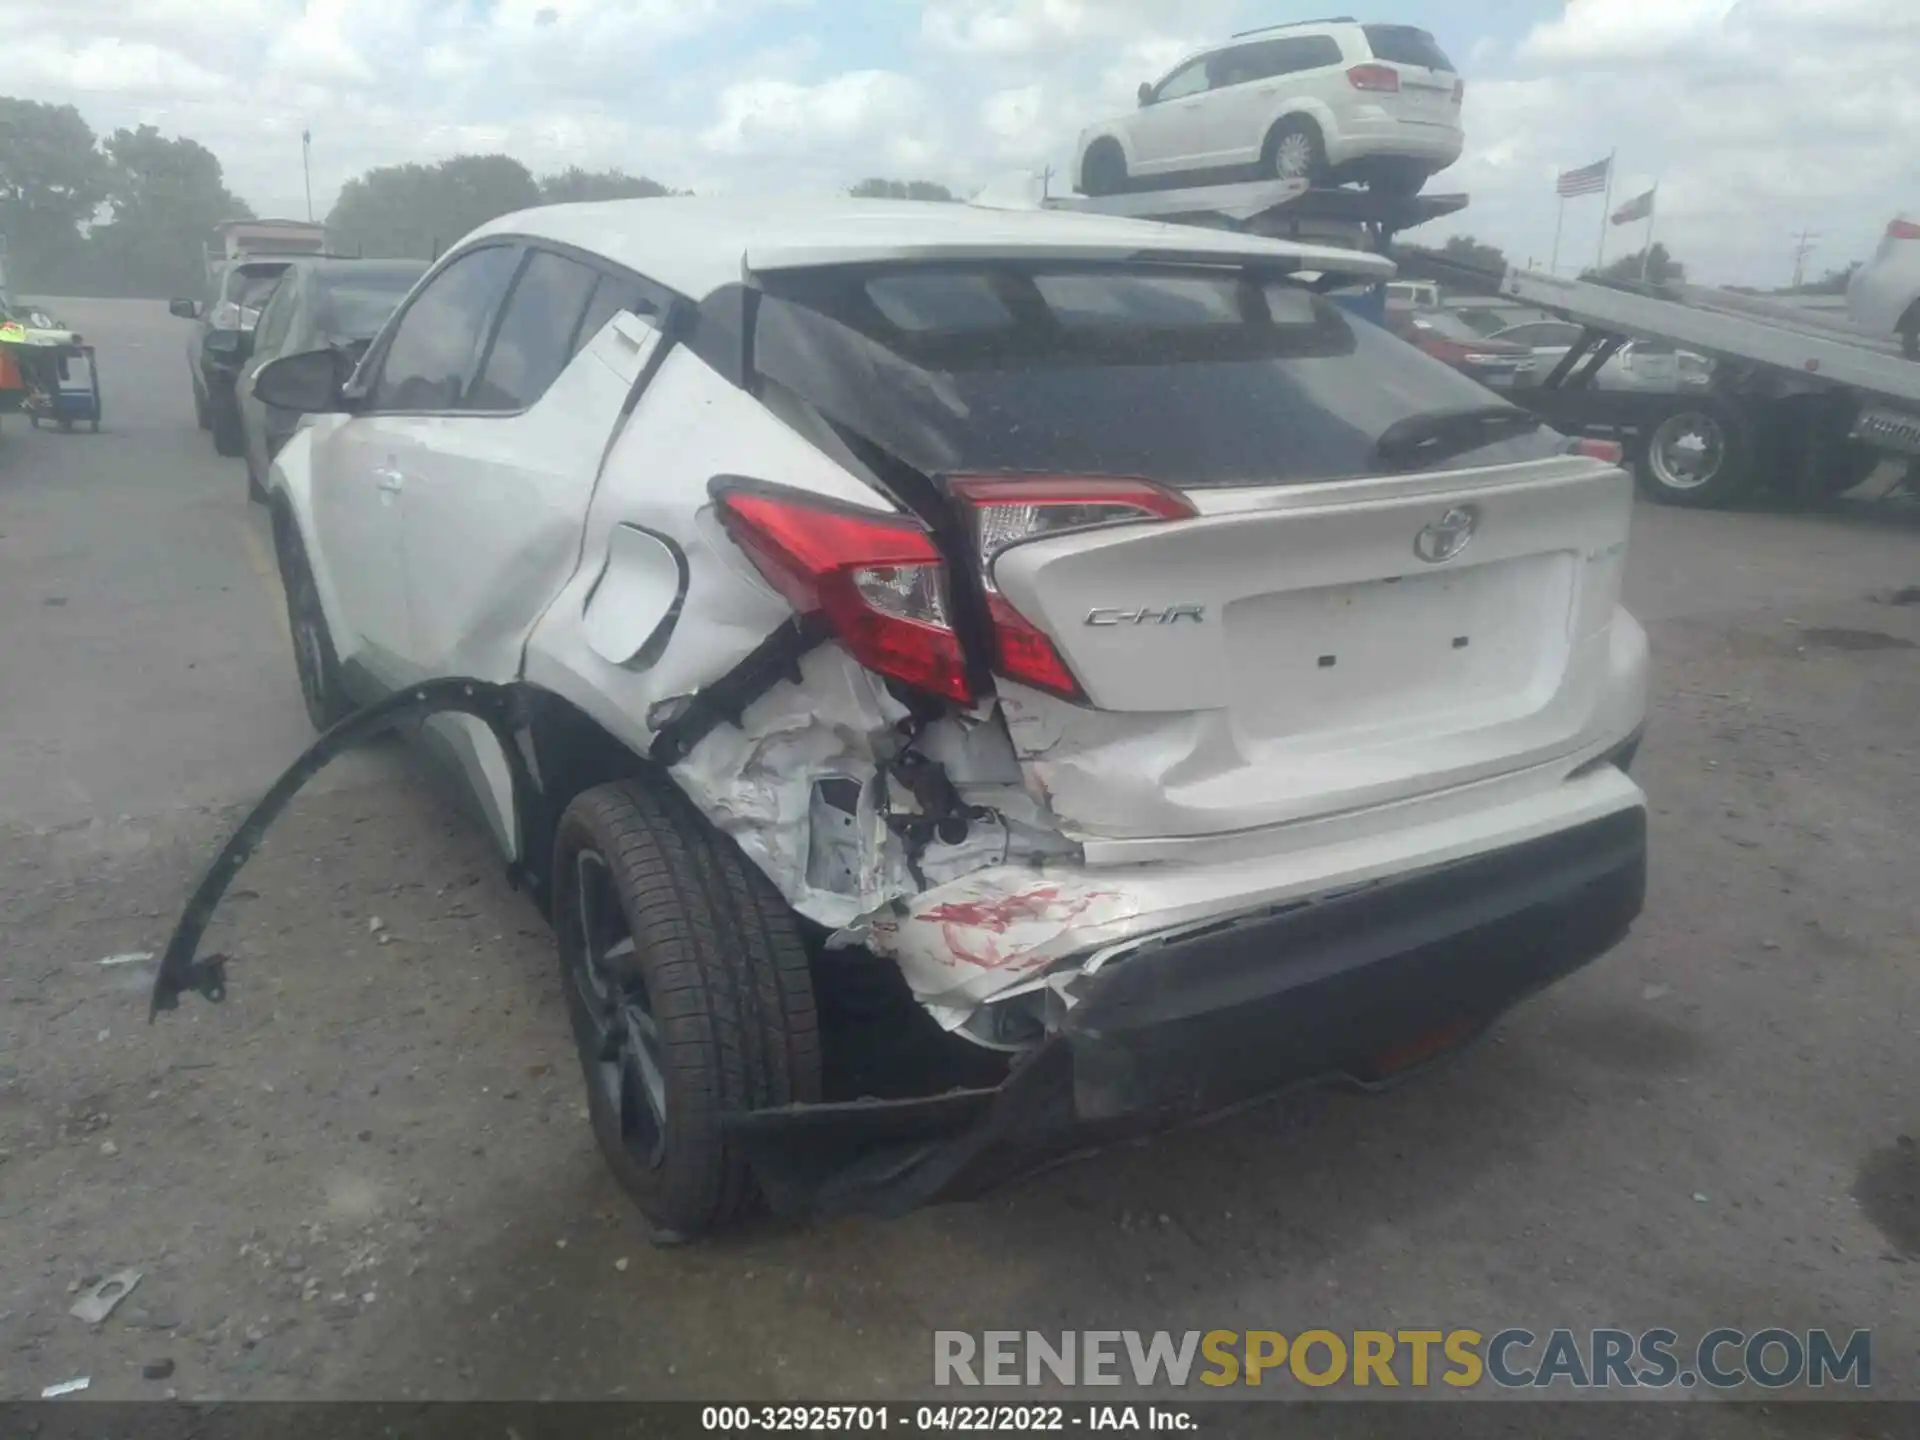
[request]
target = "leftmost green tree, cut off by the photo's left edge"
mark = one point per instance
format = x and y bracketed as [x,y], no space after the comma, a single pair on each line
[53,180]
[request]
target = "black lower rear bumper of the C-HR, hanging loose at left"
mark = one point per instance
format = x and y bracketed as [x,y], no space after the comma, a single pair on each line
[1360,984]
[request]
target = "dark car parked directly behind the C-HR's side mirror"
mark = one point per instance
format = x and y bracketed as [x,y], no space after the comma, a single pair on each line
[320,304]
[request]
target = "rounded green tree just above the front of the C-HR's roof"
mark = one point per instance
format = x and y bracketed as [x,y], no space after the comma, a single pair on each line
[420,210]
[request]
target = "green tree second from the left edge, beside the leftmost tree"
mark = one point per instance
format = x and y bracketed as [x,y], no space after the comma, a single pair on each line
[164,201]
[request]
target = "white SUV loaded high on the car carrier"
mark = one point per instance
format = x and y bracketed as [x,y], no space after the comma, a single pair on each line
[1320,101]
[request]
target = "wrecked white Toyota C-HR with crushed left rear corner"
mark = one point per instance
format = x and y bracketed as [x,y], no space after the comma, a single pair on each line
[965,683]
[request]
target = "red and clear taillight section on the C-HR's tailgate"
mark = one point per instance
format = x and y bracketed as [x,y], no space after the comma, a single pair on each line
[1013,510]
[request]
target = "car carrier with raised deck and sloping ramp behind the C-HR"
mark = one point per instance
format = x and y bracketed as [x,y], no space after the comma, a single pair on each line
[1798,404]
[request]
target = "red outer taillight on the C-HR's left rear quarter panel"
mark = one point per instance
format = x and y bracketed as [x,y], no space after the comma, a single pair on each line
[878,581]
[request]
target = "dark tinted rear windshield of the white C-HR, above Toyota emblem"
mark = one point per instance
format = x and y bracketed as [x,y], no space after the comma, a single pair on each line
[1195,377]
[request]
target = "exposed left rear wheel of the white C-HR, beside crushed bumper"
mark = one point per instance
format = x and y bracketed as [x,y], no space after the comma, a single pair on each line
[715,963]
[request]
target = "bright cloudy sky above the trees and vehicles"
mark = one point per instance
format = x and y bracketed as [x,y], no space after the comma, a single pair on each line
[1758,118]
